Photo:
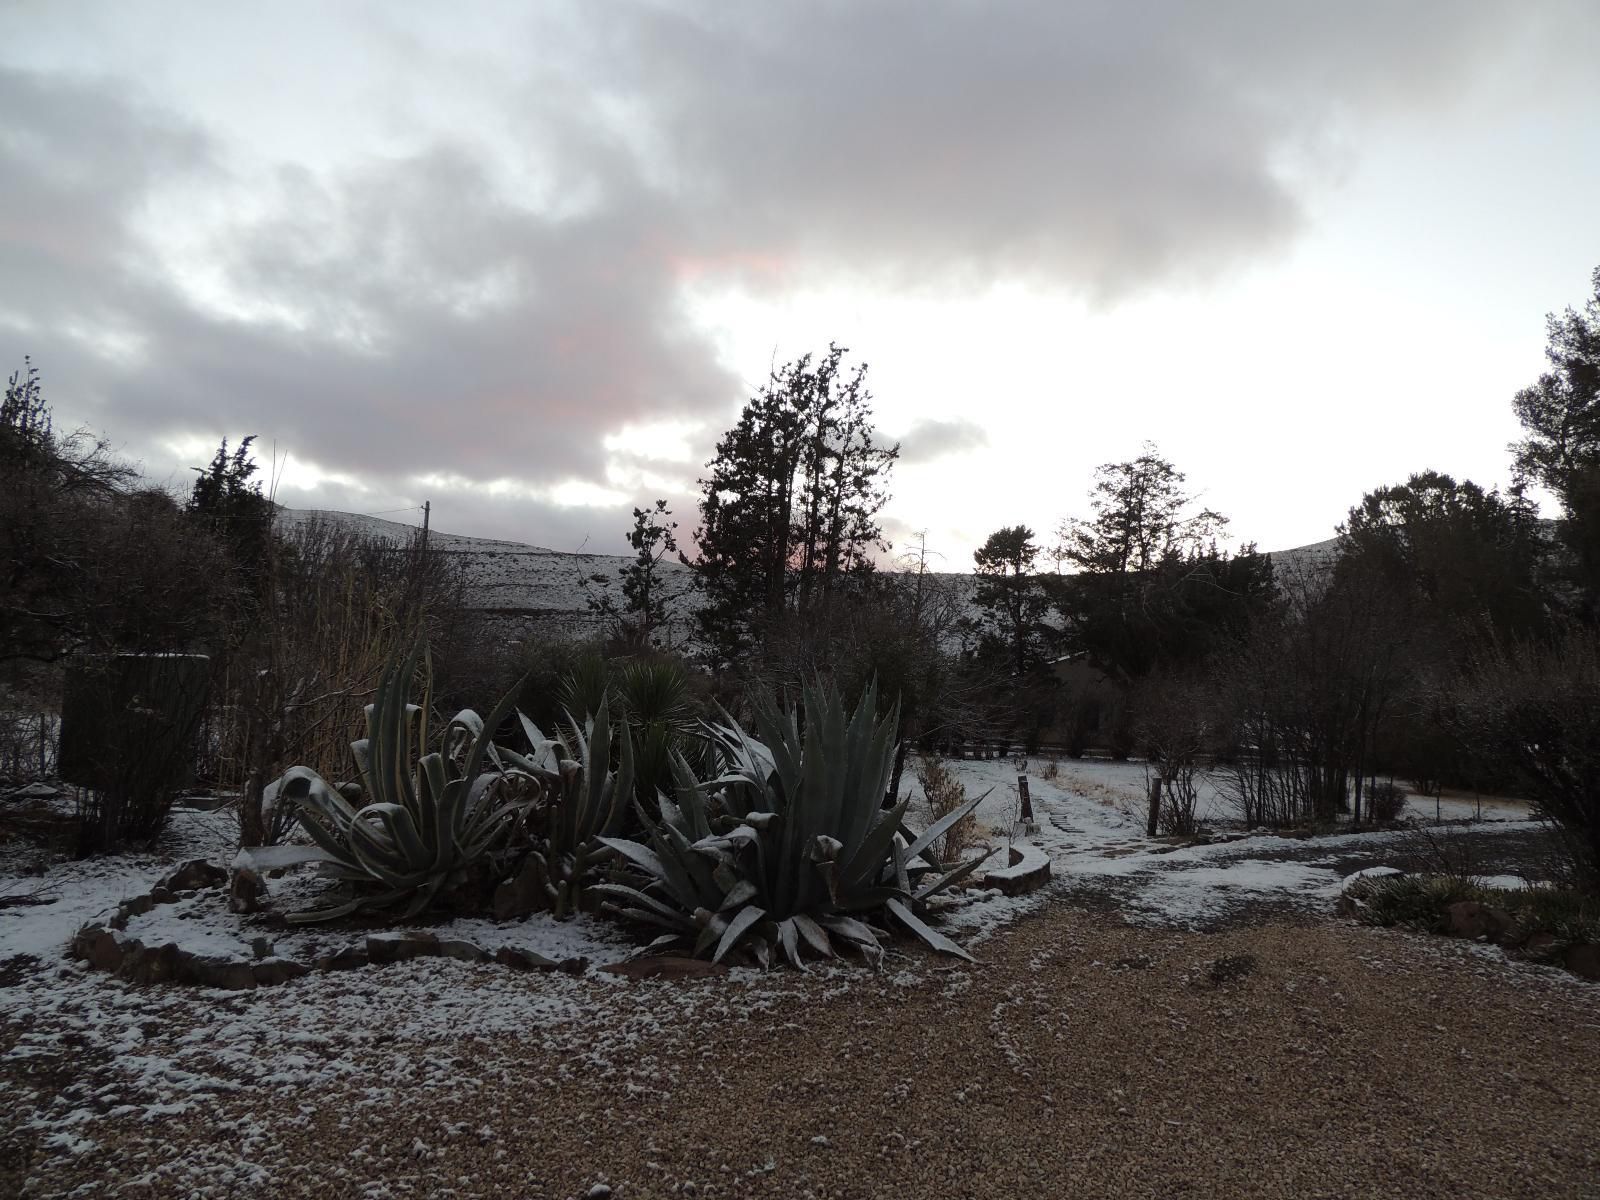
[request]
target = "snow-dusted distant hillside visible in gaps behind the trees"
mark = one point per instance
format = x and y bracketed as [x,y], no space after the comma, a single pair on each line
[529,588]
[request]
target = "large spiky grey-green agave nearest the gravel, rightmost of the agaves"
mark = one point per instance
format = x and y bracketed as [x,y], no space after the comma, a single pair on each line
[790,850]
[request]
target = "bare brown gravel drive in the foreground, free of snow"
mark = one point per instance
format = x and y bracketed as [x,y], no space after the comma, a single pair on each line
[1082,1058]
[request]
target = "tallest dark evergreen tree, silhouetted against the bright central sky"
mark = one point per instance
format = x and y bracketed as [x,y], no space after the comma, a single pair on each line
[790,510]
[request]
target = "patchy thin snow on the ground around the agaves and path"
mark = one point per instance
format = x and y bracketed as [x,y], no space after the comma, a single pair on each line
[137,1054]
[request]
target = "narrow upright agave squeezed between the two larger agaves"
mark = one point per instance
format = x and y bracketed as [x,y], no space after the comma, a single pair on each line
[585,802]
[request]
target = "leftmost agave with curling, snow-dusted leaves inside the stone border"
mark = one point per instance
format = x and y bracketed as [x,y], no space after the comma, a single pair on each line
[426,822]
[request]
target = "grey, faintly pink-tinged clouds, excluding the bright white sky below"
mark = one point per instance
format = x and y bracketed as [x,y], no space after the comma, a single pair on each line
[463,286]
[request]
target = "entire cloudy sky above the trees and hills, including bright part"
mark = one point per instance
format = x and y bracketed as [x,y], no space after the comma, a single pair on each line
[527,260]
